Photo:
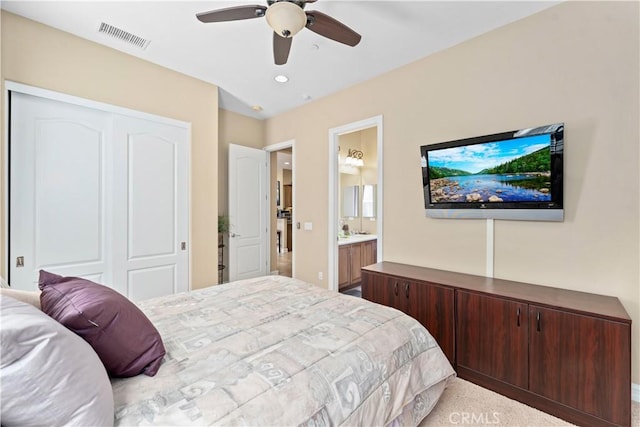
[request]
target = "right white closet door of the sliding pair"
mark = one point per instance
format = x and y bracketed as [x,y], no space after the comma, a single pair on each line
[151,183]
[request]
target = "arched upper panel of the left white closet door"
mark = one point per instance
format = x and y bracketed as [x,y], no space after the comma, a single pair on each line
[68,157]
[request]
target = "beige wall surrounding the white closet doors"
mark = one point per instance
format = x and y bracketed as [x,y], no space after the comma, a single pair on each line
[42,56]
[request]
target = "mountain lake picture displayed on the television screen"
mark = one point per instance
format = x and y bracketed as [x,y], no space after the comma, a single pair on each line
[515,170]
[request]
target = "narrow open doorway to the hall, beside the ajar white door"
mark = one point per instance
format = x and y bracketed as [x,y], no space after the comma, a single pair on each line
[282,203]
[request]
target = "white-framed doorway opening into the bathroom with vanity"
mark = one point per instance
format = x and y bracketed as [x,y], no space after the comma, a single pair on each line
[356,201]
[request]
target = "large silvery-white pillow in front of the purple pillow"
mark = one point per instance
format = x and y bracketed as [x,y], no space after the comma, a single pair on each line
[48,374]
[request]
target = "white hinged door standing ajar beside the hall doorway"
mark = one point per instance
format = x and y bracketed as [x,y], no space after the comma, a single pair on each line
[247,212]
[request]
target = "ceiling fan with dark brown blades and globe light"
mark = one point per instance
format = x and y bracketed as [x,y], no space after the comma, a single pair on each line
[287,18]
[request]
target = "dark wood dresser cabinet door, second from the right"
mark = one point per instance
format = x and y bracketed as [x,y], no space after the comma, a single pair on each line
[492,337]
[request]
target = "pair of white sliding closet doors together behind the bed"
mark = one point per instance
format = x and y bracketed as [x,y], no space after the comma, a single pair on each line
[98,195]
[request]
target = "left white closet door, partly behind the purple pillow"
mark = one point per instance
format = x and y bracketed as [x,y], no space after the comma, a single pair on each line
[59,191]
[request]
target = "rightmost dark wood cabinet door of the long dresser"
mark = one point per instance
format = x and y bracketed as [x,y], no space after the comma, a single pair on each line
[581,361]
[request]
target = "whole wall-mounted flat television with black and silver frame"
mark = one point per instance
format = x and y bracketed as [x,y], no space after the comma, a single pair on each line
[508,175]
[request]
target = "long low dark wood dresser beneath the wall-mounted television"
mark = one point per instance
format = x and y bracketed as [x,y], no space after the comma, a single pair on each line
[564,352]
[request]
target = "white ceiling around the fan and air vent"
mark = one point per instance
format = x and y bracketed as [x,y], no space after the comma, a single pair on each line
[237,56]
